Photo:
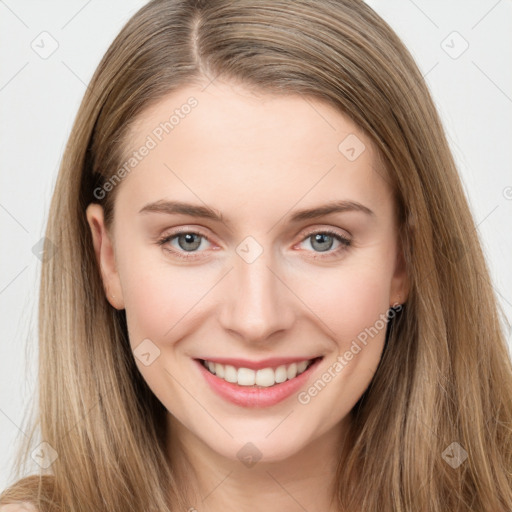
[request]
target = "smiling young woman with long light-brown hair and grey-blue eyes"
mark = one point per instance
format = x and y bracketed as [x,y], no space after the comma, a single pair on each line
[280,300]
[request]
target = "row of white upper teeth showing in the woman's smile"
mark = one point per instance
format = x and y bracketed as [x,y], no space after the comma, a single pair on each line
[265,377]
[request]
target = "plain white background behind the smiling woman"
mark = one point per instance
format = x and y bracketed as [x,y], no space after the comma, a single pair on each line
[39,99]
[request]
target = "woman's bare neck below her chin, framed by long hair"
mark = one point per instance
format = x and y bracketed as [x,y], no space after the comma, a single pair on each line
[213,483]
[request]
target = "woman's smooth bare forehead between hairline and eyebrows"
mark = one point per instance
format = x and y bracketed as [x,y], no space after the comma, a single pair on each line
[239,151]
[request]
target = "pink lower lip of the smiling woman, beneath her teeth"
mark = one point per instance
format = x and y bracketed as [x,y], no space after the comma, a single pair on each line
[247,396]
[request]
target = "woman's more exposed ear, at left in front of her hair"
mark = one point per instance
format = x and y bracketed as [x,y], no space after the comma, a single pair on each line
[104,250]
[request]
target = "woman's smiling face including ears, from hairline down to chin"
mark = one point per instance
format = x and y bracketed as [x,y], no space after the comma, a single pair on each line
[255,233]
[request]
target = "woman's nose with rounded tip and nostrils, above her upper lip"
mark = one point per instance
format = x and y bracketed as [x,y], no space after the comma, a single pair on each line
[256,303]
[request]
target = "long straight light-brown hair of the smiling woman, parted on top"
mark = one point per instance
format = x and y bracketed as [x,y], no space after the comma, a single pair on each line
[443,388]
